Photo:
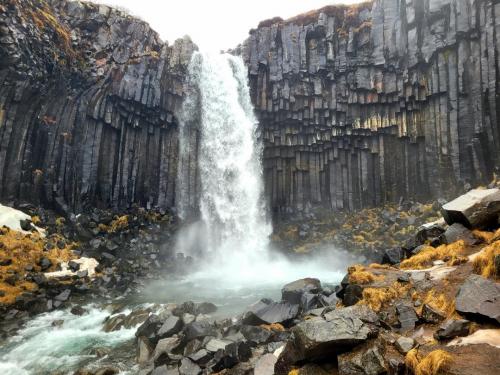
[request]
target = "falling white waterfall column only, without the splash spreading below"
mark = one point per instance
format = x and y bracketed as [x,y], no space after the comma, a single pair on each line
[220,173]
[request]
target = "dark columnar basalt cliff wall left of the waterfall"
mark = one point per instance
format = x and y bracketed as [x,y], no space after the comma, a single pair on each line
[87,102]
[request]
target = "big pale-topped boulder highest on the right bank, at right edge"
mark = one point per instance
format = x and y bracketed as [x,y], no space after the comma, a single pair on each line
[476,209]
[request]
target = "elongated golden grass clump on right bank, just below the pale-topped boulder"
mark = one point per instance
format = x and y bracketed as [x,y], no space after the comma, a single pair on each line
[453,254]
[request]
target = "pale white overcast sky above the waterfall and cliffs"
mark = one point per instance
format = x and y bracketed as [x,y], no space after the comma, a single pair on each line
[214,24]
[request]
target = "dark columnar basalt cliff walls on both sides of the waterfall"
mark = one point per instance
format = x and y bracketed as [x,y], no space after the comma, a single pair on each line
[358,105]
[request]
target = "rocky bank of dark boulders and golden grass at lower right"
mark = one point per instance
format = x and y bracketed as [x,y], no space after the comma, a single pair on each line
[435,309]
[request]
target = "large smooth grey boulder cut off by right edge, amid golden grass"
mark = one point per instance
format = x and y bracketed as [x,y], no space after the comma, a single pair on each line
[479,297]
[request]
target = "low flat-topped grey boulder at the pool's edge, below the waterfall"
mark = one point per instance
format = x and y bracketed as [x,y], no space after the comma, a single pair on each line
[266,312]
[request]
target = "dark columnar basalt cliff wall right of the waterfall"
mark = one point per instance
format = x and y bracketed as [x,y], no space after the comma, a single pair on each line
[366,104]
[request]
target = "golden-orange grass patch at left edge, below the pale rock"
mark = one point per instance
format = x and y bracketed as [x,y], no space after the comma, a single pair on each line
[24,250]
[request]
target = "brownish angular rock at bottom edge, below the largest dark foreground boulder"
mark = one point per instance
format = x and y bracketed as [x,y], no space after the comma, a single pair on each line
[363,361]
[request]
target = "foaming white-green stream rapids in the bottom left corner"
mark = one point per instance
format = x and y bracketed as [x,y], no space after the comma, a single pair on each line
[40,348]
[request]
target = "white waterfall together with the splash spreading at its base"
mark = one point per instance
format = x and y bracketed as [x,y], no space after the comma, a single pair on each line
[221,181]
